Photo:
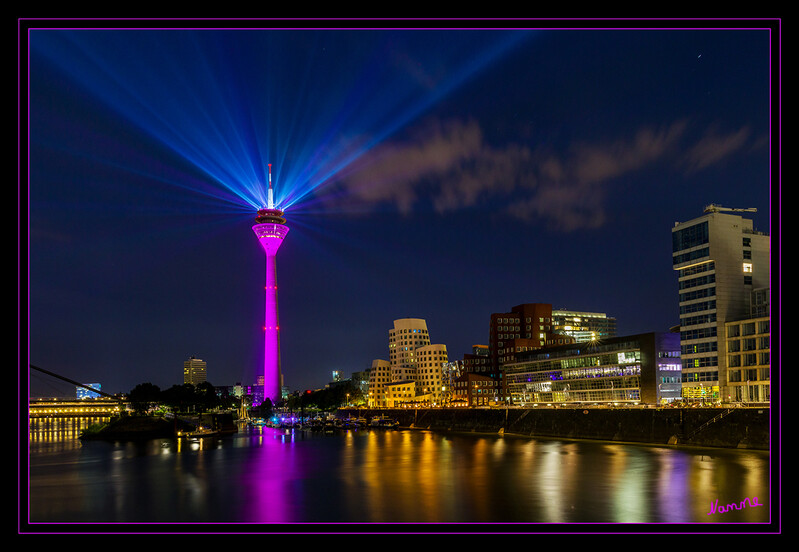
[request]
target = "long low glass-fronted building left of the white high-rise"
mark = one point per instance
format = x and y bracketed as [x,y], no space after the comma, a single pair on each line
[638,369]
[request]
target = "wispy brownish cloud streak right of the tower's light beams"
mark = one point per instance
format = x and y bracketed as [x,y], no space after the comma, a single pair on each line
[451,166]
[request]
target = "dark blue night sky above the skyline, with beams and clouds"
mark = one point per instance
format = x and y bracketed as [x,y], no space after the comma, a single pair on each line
[440,174]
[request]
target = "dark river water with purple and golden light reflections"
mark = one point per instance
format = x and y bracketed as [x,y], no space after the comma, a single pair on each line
[261,479]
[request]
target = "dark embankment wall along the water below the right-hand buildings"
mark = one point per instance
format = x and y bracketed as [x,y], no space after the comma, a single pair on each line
[708,427]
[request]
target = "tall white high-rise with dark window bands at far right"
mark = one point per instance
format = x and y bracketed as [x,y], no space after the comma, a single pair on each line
[720,259]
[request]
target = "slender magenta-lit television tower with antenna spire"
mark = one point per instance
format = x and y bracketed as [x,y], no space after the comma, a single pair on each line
[270,228]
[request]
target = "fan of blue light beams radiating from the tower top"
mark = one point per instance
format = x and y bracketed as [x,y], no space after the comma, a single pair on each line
[230,101]
